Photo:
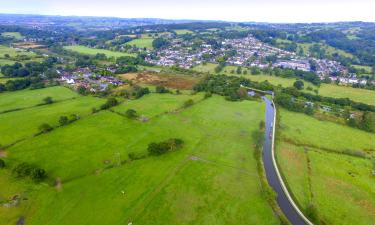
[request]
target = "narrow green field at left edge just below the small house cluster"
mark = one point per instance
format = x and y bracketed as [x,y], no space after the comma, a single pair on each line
[28,98]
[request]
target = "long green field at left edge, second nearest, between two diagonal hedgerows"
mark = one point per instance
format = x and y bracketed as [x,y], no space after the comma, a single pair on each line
[22,124]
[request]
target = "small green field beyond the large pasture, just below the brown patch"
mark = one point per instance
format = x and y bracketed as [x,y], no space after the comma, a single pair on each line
[156,104]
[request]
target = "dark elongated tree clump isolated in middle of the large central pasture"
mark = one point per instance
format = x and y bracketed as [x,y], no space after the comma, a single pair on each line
[159,148]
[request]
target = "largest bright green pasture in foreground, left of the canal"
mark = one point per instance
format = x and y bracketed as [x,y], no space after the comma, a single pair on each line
[212,180]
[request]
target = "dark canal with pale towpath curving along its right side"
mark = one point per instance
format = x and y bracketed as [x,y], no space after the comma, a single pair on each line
[284,200]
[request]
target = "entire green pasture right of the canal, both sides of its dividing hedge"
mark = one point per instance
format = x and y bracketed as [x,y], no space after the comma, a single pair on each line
[338,185]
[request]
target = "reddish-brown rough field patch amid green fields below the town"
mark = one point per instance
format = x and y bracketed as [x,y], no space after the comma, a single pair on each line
[171,81]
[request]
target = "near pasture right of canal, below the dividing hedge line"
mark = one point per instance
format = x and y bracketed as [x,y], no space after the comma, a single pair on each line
[338,185]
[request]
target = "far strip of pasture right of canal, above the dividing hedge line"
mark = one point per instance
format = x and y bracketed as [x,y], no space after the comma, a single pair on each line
[305,130]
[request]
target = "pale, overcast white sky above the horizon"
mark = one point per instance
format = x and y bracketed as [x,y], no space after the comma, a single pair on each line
[279,11]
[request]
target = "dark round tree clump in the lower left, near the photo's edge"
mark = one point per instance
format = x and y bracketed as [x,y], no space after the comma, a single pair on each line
[26,170]
